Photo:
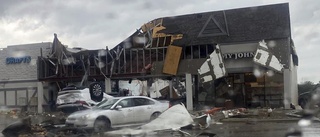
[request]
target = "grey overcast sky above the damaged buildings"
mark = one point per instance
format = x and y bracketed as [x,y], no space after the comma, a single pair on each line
[100,23]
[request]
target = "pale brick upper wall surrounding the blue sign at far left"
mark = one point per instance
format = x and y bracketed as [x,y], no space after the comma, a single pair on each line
[22,71]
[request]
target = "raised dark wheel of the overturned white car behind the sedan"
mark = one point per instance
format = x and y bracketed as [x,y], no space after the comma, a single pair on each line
[96,91]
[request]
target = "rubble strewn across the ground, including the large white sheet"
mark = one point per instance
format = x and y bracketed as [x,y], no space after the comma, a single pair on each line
[175,119]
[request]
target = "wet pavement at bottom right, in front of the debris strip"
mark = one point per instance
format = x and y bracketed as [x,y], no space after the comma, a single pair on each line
[260,129]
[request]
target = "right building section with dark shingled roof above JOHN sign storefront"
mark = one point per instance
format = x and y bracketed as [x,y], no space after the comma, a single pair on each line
[259,60]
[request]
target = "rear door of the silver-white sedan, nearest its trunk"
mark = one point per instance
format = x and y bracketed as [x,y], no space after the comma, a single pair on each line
[144,108]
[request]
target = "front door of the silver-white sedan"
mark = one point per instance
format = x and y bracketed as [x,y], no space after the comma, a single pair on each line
[124,115]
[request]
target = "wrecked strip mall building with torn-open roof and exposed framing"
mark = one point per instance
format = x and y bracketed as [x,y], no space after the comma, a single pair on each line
[219,58]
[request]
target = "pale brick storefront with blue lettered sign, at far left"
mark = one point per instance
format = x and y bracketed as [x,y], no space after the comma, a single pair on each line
[19,85]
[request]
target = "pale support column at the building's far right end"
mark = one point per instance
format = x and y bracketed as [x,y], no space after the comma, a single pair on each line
[287,88]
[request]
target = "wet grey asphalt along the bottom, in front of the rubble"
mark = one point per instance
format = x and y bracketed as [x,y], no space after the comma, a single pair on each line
[261,126]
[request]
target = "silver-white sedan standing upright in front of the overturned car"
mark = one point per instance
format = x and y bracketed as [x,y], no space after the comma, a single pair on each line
[118,112]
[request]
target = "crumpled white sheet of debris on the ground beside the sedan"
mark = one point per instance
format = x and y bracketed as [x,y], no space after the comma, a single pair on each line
[174,119]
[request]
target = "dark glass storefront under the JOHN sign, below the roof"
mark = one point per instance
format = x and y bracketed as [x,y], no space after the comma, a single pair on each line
[250,85]
